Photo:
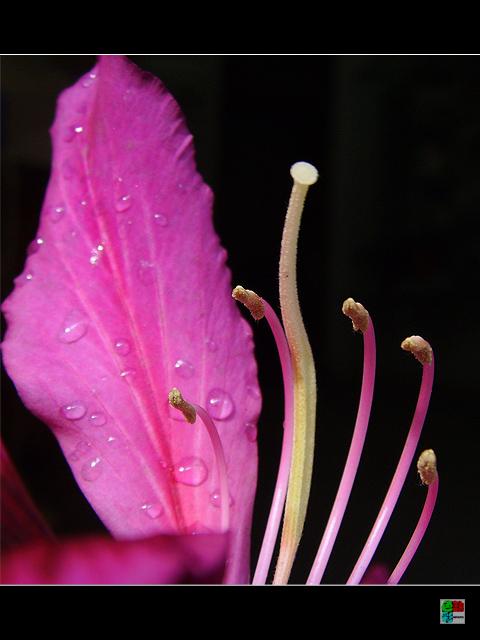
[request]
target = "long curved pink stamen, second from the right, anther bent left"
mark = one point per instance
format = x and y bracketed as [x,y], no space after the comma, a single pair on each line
[424,353]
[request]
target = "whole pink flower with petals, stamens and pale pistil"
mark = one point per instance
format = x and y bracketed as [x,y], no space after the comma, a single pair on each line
[123,337]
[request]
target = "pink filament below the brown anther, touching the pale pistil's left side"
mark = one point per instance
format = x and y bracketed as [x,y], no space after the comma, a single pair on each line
[276,510]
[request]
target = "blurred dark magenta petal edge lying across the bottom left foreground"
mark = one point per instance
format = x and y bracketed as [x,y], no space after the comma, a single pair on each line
[101,560]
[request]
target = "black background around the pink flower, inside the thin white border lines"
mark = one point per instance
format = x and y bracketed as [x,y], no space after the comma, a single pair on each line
[393,222]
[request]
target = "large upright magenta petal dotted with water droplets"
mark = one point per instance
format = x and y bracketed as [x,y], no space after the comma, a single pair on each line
[126,294]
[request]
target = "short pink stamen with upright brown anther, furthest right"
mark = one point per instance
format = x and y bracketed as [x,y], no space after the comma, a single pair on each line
[427,468]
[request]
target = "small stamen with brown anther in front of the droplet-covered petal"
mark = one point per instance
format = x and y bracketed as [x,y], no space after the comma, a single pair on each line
[190,411]
